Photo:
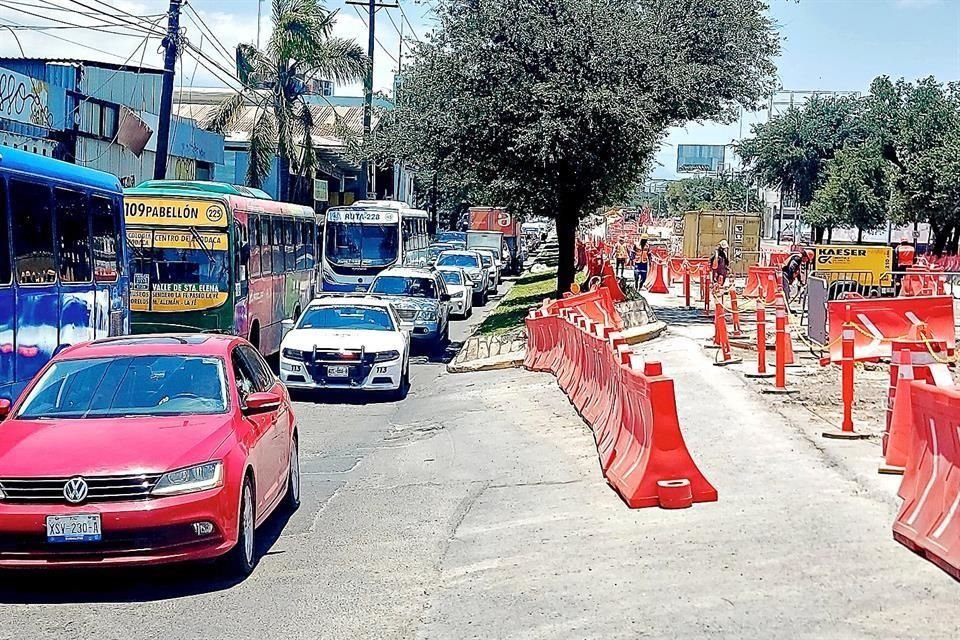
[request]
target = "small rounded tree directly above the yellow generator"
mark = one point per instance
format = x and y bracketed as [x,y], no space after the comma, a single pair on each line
[855,192]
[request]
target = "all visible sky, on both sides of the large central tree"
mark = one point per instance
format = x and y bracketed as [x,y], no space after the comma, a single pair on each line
[838,45]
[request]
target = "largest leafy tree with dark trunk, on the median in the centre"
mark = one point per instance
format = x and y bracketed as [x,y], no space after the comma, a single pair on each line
[554,107]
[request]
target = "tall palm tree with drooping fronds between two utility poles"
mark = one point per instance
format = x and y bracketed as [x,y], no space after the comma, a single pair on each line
[274,79]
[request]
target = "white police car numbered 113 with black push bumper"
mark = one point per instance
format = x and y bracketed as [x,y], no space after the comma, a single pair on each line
[352,342]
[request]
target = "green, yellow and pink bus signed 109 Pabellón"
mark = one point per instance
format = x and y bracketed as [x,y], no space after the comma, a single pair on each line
[215,257]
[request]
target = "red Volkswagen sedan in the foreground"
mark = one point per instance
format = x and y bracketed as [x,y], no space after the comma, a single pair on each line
[146,450]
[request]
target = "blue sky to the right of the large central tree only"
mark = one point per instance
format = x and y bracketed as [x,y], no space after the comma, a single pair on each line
[842,45]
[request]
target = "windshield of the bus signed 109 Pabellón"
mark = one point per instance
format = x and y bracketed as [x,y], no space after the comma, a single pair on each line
[178,269]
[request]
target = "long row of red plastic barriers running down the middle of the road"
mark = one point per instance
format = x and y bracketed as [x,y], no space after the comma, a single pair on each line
[630,406]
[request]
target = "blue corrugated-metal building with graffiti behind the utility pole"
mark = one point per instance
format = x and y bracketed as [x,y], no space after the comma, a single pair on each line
[99,115]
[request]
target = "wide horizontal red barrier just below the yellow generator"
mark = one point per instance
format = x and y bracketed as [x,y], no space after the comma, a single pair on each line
[880,321]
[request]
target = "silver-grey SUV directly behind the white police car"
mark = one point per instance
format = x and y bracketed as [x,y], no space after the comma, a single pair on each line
[420,299]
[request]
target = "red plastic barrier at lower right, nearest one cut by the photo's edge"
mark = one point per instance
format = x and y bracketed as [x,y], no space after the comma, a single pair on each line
[929,519]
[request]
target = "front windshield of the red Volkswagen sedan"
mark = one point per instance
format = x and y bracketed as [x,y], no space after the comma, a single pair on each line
[125,386]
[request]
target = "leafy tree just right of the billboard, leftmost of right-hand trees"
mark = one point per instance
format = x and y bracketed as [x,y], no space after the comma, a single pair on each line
[791,151]
